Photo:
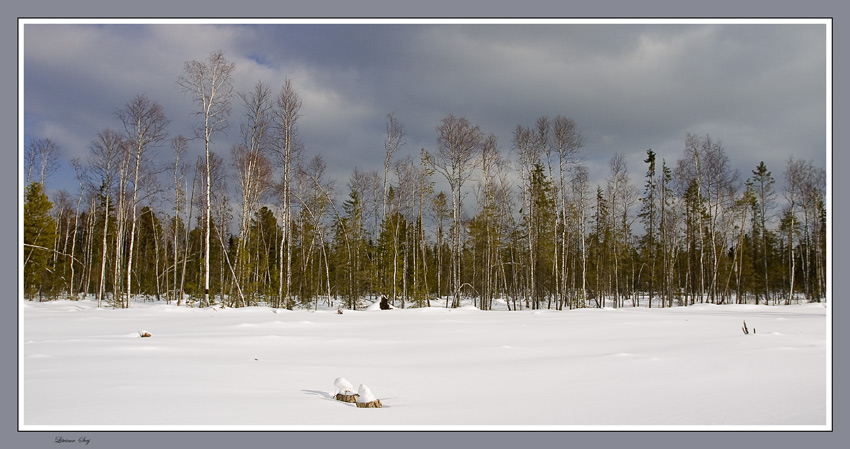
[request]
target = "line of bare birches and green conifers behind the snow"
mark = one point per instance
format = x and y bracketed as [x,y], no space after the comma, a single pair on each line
[523,225]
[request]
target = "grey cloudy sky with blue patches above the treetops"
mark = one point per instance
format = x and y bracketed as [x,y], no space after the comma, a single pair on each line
[759,88]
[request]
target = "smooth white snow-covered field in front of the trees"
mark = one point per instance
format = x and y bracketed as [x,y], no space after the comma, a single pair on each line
[265,369]
